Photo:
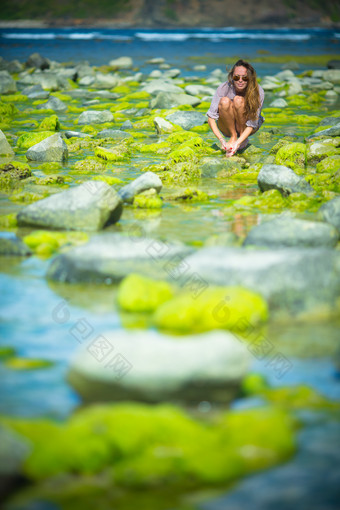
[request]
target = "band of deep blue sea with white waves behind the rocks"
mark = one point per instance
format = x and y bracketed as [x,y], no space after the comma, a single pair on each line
[99,46]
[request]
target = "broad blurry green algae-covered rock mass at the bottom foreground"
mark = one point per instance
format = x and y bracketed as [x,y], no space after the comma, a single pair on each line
[161,444]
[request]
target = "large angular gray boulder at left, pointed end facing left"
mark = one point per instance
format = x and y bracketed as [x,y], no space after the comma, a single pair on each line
[90,206]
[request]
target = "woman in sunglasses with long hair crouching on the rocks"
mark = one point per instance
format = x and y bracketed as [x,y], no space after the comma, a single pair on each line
[235,109]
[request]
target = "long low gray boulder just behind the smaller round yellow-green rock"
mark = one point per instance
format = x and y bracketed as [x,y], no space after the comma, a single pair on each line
[110,257]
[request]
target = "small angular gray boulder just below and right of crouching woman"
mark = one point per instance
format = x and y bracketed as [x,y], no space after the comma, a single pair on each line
[283,179]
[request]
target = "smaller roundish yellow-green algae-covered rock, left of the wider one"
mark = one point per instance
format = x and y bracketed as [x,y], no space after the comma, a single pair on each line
[137,293]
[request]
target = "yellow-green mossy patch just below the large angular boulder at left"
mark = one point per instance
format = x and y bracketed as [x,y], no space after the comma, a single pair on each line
[45,243]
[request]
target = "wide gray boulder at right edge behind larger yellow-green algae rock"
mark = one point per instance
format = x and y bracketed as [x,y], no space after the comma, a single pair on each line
[295,280]
